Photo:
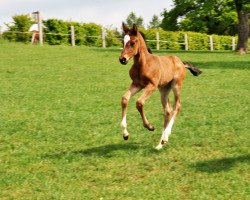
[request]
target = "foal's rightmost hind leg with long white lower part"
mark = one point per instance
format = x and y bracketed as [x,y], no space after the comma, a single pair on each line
[168,123]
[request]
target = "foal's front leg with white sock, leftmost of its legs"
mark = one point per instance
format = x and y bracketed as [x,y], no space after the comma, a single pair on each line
[133,89]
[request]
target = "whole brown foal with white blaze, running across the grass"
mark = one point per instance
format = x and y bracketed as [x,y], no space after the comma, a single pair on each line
[150,72]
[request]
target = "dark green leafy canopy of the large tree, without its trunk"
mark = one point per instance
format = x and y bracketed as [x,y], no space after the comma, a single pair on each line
[207,16]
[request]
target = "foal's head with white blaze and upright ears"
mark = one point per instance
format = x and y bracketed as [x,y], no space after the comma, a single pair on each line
[131,43]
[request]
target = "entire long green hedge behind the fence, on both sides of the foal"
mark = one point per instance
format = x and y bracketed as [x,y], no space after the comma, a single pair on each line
[57,32]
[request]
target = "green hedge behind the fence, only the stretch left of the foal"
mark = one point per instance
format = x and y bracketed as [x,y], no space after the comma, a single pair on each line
[57,32]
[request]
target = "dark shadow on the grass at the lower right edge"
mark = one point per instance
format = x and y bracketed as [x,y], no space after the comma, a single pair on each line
[219,165]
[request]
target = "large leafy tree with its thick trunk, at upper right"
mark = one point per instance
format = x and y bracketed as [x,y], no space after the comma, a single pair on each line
[222,17]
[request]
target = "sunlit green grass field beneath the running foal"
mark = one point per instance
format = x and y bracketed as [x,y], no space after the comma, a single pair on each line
[60,136]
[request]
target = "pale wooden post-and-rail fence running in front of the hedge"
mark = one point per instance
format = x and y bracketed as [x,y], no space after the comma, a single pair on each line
[104,37]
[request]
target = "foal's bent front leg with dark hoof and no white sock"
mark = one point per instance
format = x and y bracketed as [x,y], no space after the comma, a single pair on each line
[149,89]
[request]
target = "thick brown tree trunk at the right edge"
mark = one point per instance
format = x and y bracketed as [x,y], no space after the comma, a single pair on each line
[243,9]
